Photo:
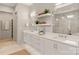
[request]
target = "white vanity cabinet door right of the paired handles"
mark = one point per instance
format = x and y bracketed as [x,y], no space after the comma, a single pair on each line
[66,49]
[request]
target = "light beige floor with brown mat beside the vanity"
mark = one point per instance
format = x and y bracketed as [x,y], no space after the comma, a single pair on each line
[10,47]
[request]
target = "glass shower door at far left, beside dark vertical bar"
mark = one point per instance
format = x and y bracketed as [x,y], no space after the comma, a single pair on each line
[5,29]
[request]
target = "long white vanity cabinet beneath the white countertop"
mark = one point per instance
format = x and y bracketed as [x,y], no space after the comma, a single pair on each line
[46,46]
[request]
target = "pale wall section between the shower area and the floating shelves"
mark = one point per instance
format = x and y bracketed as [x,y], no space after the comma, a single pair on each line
[22,19]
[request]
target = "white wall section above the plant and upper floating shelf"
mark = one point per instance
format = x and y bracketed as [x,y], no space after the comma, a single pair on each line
[40,7]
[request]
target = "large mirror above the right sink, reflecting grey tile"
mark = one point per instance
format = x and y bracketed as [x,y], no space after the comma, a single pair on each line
[62,23]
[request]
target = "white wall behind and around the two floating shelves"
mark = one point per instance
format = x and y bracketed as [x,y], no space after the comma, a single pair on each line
[39,8]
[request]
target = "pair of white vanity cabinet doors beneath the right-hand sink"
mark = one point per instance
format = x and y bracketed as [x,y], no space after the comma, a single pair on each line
[55,48]
